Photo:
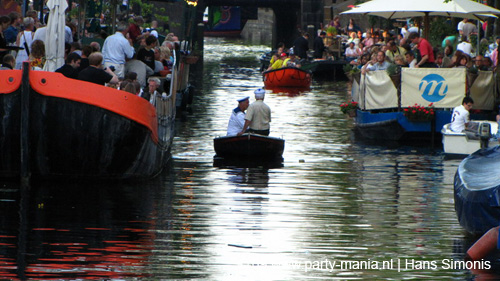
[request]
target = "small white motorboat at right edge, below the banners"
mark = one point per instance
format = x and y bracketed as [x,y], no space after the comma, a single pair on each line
[469,141]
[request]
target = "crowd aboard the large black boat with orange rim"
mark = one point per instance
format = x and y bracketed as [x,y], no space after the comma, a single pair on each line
[128,59]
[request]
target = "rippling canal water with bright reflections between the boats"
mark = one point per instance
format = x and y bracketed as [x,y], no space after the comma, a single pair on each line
[336,209]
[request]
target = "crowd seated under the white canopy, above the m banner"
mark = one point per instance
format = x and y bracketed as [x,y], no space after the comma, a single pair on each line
[409,49]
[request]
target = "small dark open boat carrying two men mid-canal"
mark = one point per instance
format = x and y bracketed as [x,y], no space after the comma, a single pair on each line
[249,146]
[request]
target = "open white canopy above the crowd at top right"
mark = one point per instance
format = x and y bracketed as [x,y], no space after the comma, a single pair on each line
[391,9]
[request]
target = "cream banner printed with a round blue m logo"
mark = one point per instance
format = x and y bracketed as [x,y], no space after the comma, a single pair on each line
[444,87]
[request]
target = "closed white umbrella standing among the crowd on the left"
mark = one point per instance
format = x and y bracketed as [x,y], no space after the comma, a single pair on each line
[54,40]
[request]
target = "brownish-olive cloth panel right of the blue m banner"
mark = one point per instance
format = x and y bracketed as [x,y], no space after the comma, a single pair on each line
[483,91]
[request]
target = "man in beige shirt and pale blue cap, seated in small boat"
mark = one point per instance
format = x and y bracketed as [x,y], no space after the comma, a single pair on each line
[258,115]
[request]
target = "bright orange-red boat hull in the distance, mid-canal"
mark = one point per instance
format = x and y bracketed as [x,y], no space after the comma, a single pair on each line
[287,77]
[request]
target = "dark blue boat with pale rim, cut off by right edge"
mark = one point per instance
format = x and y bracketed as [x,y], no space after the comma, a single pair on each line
[477,189]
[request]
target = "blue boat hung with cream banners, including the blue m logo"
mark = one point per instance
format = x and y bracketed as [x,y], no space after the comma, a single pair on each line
[383,99]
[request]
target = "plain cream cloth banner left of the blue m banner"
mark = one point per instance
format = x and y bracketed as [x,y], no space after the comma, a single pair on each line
[379,91]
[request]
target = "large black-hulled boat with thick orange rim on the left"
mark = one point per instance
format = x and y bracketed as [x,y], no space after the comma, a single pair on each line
[56,127]
